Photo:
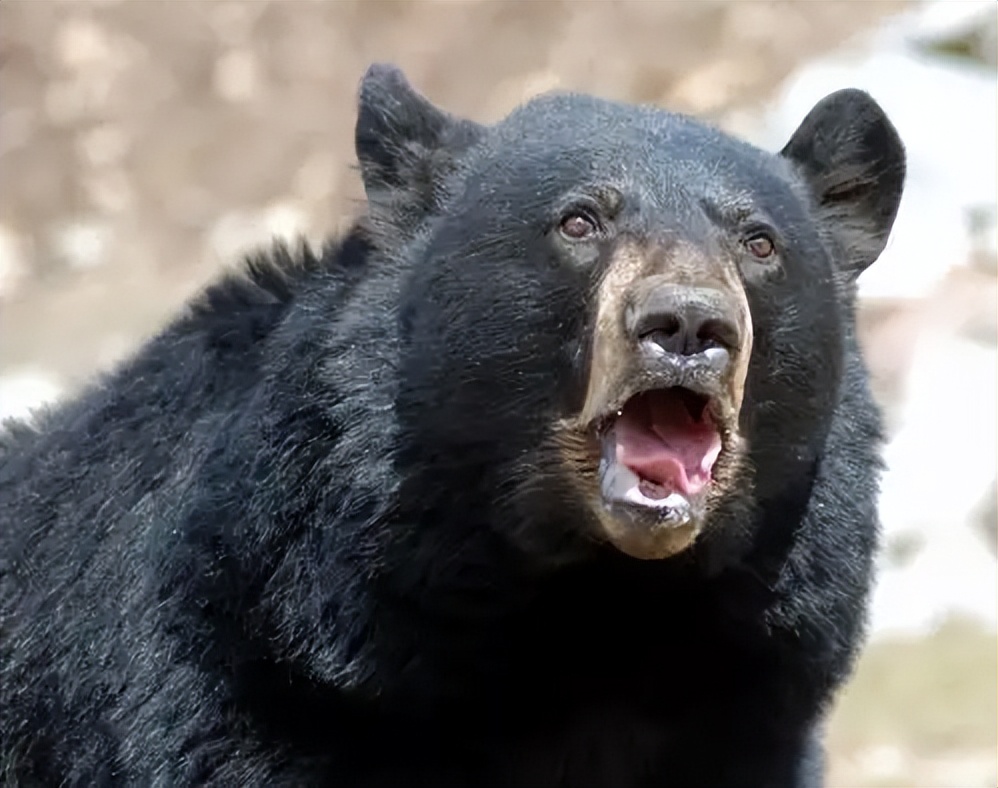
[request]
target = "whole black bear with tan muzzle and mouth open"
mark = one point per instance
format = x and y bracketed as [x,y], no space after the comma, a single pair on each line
[559,469]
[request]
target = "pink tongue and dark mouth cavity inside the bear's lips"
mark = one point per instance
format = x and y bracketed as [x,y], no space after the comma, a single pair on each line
[658,440]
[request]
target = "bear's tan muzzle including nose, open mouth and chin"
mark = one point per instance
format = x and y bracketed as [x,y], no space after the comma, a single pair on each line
[665,417]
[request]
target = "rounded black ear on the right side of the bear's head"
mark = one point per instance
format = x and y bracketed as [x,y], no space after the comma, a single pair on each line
[854,162]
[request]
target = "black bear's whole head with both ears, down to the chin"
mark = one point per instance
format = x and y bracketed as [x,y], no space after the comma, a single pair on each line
[643,317]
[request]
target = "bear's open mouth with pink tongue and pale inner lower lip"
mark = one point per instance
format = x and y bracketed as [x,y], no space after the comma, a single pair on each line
[659,450]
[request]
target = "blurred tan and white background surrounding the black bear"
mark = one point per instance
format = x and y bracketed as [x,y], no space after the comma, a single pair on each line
[145,144]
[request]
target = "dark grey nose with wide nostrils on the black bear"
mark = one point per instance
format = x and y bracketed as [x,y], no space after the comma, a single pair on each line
[684,320]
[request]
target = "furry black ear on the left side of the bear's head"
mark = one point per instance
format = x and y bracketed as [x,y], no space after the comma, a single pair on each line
[406,147]
